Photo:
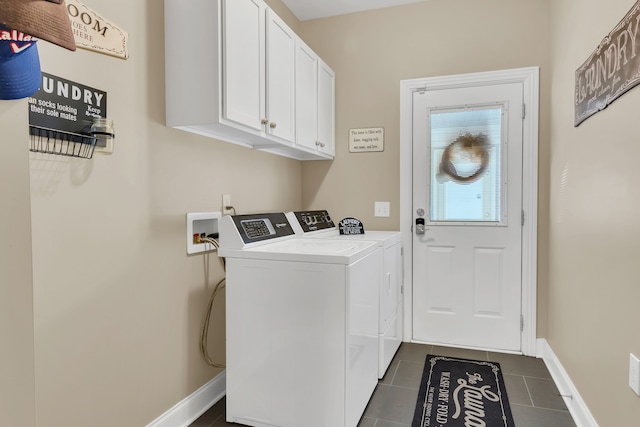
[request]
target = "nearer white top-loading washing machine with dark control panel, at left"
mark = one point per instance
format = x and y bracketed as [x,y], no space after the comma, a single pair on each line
[301,324]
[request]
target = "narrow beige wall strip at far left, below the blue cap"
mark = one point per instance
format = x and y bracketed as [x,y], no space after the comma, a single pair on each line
[17,384]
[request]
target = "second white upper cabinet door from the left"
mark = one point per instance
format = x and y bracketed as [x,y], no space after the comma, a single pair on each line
[281,100]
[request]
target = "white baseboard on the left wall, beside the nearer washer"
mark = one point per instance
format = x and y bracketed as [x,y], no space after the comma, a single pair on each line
[191,407]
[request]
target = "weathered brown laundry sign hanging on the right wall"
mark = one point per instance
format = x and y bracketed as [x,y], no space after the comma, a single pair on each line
[611,70]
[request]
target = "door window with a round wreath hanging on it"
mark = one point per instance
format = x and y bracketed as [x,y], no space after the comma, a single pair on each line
[467,166]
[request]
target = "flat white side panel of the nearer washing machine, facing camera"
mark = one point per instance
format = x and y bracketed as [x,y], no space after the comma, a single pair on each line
[286,343]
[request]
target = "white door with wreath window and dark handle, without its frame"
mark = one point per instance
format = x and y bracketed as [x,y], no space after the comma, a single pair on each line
[467,195]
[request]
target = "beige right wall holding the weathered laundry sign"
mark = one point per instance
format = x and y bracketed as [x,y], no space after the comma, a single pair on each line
[594,280]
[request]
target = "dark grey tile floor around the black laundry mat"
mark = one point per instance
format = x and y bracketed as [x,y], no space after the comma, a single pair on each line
[534,398]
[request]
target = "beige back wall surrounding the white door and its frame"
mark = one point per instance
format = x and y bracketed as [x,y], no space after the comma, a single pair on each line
[372,52]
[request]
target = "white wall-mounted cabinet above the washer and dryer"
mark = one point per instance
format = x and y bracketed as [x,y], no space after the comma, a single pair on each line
[232,73]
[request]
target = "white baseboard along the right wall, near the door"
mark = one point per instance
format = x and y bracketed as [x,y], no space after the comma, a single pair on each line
[577,407]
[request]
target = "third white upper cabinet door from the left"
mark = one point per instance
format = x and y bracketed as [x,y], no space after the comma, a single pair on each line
[306,96]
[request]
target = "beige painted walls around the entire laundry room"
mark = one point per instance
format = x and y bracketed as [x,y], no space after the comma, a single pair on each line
[108,333]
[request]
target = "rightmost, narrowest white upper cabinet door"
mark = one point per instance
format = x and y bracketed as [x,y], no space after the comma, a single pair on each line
[326,108]
